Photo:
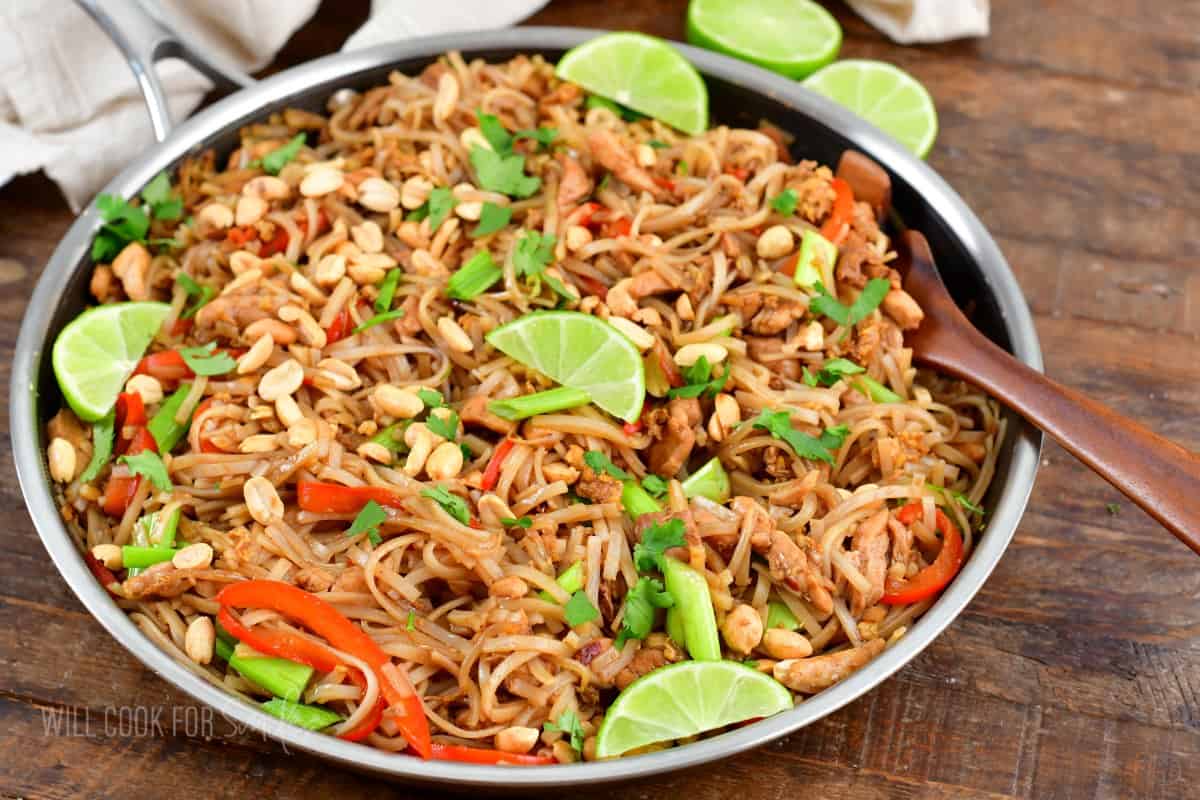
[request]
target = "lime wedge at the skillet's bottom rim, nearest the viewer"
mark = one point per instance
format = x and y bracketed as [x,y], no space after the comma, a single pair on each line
[687,699]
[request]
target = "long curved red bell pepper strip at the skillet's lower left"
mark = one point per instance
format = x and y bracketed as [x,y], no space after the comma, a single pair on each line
[328,623]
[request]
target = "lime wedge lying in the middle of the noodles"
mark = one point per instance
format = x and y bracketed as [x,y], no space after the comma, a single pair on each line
[581,352]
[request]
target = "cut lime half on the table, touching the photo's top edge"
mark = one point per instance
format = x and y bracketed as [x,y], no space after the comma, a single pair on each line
[794,38]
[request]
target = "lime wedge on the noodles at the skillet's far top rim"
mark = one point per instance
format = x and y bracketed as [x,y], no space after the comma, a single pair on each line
[644,74]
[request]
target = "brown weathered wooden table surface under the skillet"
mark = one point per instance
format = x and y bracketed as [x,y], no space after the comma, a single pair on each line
[1076,672]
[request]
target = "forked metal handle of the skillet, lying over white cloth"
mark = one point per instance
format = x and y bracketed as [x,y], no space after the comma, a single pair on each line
[145,39]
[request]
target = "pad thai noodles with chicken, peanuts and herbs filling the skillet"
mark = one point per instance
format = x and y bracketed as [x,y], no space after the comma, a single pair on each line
[477,399]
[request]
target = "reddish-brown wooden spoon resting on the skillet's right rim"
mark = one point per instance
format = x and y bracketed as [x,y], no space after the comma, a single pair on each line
[1155,473]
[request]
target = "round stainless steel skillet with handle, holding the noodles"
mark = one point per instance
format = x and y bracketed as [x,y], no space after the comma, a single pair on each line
[741,95]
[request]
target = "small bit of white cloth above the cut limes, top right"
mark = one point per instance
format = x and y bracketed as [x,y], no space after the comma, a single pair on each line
[911,22]
